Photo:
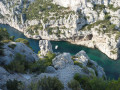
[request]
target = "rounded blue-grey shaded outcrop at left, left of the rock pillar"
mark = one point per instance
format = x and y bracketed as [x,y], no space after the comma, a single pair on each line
[13,48]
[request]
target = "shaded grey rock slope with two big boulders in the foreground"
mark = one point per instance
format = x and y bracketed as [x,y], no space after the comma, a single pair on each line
[63,68]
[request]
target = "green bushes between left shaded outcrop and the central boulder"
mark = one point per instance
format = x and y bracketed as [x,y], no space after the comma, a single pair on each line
[21,65]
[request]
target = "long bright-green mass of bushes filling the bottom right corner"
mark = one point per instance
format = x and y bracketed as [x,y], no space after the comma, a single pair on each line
[95,83]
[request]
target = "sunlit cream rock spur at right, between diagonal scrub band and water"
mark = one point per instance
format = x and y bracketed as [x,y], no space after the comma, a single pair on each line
[103,41]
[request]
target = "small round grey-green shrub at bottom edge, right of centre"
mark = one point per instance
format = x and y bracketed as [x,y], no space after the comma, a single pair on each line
[74,85]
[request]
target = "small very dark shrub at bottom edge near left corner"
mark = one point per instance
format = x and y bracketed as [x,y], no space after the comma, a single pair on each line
[14,85]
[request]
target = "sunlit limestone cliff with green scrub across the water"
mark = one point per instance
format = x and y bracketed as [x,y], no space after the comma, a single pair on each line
[67,21]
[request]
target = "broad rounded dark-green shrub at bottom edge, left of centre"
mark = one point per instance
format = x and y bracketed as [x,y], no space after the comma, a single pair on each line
[47,83]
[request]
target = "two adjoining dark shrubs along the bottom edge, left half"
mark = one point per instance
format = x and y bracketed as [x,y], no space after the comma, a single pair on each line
[45,83]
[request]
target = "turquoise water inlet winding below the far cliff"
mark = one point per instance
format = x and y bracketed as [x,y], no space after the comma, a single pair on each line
[111,68]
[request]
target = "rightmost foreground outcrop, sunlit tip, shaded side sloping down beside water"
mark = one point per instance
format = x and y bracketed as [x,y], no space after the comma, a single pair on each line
[83,58]
